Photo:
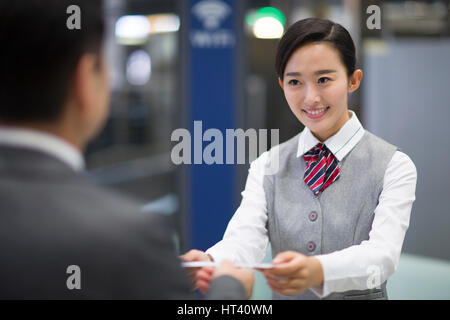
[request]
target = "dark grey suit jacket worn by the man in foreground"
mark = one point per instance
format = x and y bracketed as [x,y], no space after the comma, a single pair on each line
[52,218]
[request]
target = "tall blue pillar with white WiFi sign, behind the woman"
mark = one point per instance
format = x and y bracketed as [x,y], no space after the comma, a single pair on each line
[212,84]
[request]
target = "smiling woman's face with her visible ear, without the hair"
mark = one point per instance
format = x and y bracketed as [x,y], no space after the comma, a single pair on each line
[319,97]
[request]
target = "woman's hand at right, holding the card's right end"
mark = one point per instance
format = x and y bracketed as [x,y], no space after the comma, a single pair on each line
[293,273]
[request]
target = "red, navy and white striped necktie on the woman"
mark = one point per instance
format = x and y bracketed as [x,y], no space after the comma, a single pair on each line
[321,168]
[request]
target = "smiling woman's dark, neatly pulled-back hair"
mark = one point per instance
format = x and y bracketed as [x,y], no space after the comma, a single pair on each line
[316,30]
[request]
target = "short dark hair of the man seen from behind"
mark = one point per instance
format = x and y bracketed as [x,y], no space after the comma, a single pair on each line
[39,55]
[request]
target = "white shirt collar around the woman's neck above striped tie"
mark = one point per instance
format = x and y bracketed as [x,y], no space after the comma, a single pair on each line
[340,144]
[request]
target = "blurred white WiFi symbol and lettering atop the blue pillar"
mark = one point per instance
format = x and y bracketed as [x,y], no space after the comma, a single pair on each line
[212,24]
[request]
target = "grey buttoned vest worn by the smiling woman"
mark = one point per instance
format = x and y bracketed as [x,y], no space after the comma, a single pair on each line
[339,217]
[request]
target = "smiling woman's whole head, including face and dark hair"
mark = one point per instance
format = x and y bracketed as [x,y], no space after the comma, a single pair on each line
[316,68]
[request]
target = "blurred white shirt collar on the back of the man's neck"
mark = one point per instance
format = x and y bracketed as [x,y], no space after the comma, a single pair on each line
[44,142]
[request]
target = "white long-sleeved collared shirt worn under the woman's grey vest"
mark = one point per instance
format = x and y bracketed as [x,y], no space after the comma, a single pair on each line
[246,237]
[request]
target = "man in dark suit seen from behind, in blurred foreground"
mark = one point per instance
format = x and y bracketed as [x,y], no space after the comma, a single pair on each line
[61,237]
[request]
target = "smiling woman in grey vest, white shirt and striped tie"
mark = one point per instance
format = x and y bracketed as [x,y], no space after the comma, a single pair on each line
[337,210]
